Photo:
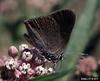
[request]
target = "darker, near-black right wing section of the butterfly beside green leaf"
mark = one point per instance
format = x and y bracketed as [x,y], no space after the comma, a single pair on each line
[66,21]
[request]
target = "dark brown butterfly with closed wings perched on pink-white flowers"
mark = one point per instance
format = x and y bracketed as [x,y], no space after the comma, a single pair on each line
[50,34]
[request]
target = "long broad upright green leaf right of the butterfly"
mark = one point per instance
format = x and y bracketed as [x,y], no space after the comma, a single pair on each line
[80,36]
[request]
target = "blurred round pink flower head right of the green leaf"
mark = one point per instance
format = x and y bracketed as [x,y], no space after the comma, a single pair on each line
[86,65]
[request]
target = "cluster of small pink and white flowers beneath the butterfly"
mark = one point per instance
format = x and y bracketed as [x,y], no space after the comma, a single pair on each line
[23,63]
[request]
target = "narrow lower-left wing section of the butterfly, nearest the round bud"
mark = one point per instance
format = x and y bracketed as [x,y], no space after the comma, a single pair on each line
[33,38]
